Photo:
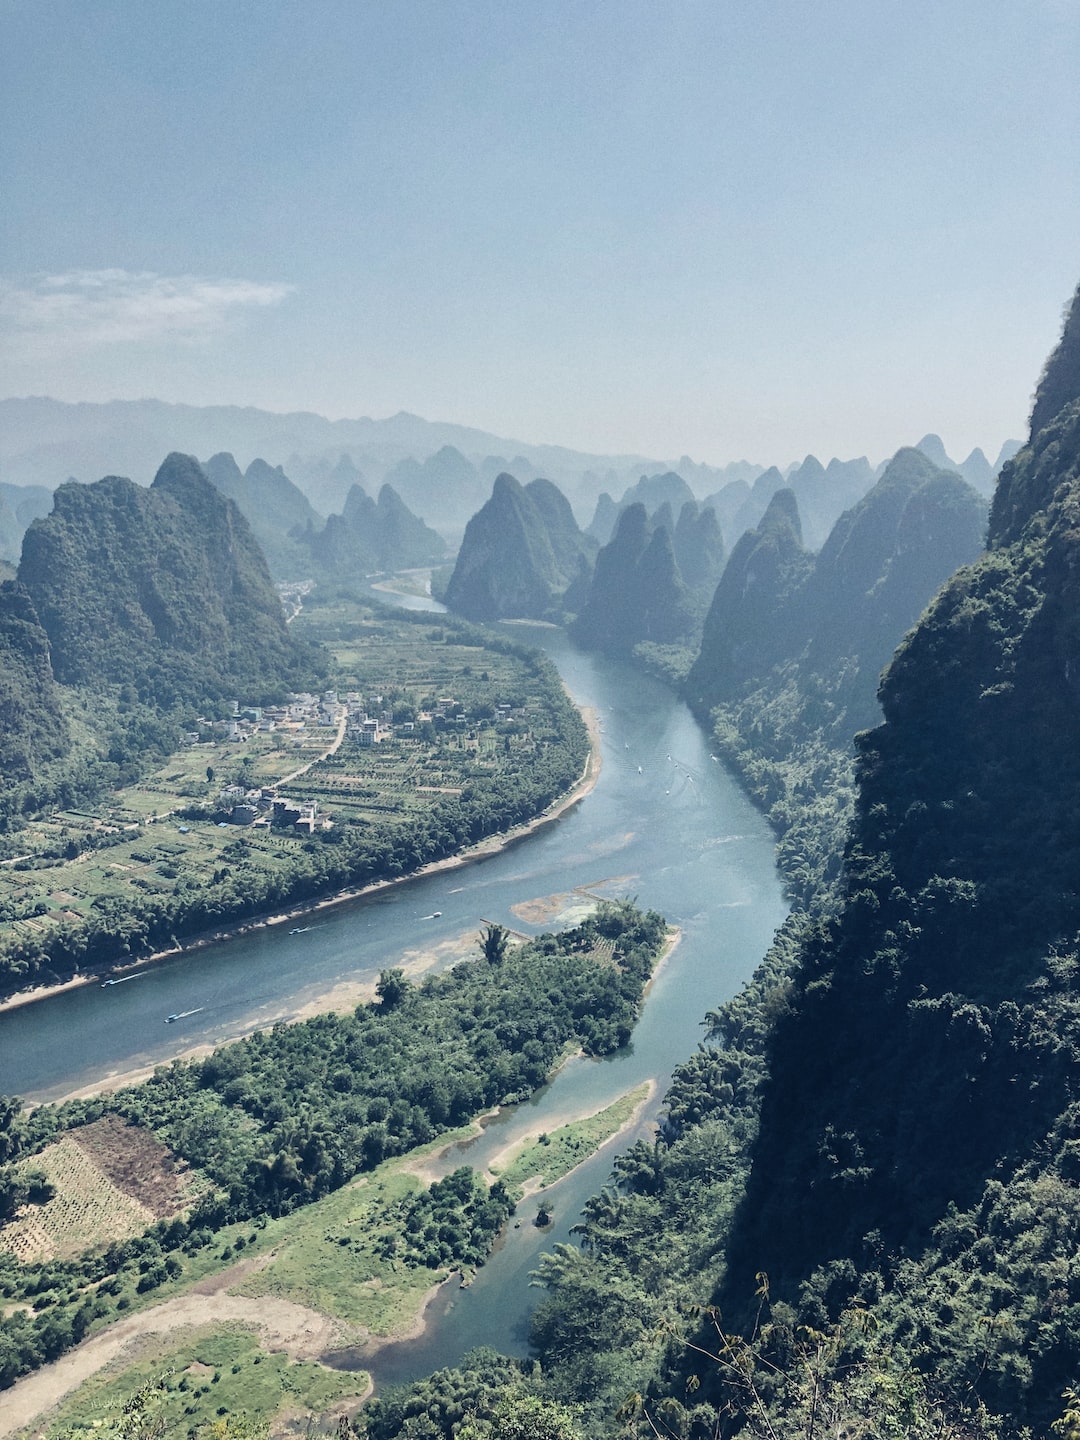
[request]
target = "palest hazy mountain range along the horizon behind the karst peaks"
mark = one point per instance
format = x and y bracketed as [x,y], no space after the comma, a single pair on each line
[440,470]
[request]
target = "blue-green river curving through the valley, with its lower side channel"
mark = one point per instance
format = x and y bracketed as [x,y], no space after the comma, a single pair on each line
[665,824]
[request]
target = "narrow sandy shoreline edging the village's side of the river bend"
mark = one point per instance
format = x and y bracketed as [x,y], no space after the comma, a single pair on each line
[482,850]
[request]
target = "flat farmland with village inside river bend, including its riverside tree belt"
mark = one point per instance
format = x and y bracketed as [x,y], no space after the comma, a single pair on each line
[472,735]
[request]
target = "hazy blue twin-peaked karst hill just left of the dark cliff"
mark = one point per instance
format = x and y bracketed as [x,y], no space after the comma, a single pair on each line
[827,624]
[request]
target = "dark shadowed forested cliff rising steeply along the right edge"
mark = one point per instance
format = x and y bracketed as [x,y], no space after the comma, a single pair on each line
[919,1125]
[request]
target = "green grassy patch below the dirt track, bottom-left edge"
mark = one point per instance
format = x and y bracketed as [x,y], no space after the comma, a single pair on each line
[212,1373]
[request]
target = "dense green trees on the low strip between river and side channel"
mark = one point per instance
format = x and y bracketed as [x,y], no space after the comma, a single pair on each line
[277,1122]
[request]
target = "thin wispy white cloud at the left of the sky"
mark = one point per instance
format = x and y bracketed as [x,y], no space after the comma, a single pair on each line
[113,307]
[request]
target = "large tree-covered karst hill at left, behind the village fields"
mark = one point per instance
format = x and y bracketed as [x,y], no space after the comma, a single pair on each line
[162,590]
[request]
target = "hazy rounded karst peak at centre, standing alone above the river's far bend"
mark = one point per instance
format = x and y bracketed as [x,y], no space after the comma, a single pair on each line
[522,555]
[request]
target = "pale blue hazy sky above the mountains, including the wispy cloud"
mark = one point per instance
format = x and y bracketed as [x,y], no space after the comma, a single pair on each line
[731,230]
